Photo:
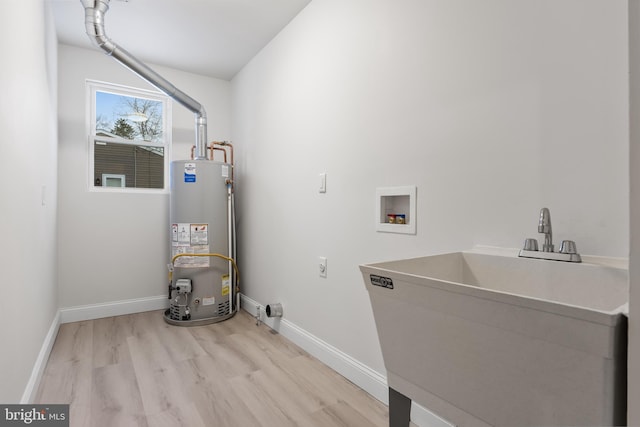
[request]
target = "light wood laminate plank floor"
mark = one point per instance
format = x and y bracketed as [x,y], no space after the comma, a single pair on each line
[136,370]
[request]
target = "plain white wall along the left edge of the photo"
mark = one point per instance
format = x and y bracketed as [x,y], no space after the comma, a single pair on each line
[28,168]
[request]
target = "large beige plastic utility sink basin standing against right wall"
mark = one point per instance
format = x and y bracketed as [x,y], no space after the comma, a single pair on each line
[491,339]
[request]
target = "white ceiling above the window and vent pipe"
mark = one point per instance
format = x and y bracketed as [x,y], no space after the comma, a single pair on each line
[210,37]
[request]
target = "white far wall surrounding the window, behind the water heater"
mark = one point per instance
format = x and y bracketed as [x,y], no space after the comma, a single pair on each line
[114,246]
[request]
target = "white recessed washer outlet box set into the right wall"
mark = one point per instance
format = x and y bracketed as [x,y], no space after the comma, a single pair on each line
[396,209]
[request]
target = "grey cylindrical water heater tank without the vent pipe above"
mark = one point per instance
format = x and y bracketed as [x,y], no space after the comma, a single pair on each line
[202,269]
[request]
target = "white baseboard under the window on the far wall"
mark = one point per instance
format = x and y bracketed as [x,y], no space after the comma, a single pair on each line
[115,308]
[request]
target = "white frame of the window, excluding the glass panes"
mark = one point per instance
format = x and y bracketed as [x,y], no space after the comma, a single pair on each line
[93,86]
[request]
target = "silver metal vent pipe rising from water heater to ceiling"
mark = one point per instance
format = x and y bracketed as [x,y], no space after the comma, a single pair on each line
[94,11]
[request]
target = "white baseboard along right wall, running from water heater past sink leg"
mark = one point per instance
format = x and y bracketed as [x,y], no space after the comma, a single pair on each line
[358,373]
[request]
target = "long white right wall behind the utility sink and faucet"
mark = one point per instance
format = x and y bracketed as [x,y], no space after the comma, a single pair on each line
[493,109]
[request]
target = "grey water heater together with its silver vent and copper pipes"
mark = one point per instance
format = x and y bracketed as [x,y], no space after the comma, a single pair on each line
[202,273]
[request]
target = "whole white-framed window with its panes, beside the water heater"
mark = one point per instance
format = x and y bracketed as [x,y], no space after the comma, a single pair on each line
[129,137]
